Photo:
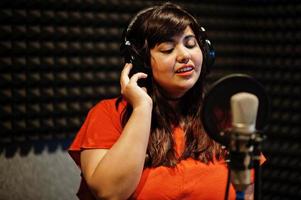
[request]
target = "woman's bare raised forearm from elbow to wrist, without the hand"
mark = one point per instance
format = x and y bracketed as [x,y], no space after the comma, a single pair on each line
[119,172]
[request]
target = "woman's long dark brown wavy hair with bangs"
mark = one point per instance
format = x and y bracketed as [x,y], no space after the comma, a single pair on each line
[148,28]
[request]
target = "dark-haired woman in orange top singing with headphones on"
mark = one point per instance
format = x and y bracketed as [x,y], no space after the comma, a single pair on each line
[149,143]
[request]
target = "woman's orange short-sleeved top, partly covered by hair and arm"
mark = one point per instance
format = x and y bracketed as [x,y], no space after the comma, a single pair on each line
[190,179]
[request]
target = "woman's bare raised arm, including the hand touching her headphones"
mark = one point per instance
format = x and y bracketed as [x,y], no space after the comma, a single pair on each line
[115,173]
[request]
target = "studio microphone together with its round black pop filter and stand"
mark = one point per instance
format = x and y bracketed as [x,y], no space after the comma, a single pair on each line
[236,109]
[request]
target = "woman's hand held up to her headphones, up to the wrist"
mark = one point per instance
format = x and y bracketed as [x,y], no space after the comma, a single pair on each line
[131,91]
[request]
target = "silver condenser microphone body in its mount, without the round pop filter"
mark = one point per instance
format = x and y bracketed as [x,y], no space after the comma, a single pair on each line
[244,107]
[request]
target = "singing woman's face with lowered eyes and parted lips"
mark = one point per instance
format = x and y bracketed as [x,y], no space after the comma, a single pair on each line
[176,64]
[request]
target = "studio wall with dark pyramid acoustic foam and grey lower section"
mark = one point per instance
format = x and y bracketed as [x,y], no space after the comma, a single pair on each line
[60,57]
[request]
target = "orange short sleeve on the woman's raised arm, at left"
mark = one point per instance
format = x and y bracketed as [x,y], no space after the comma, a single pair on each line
[100,129]
